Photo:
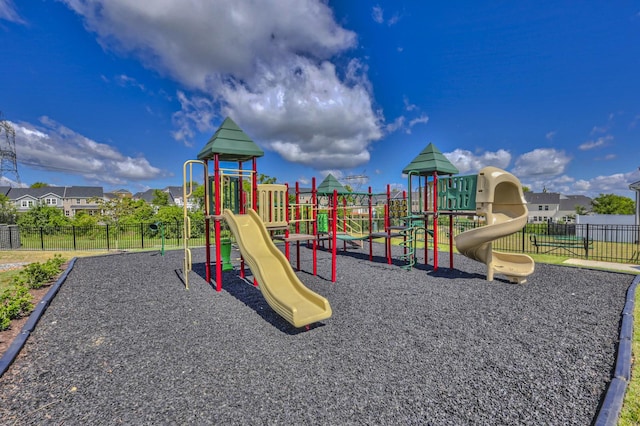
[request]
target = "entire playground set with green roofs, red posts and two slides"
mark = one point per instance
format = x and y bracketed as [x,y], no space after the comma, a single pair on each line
[257,214]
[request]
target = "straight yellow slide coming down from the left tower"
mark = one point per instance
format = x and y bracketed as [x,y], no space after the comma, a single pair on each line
[280,286]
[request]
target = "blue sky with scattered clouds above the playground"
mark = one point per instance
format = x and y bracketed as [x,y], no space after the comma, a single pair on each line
[120,93]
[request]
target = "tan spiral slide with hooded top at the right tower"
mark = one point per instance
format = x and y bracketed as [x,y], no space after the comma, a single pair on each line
[499,198]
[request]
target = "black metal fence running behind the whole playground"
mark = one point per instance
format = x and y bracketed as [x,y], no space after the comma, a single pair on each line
[613,243]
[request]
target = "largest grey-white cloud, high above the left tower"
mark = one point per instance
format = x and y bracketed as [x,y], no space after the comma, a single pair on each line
[268,67]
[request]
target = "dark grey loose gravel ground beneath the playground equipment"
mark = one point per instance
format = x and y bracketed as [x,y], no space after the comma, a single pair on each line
[123,342]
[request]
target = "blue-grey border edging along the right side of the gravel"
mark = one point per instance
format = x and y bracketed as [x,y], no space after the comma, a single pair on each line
[612,405]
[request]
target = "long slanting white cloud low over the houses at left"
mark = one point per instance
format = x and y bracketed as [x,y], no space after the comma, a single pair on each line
[40,147]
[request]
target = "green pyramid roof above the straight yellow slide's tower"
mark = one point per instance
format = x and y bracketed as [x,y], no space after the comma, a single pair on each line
[231,143]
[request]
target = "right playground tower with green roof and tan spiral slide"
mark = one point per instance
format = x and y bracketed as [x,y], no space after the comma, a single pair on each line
[493,194]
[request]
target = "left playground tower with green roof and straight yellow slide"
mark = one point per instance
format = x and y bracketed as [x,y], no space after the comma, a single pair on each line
[272,272]
